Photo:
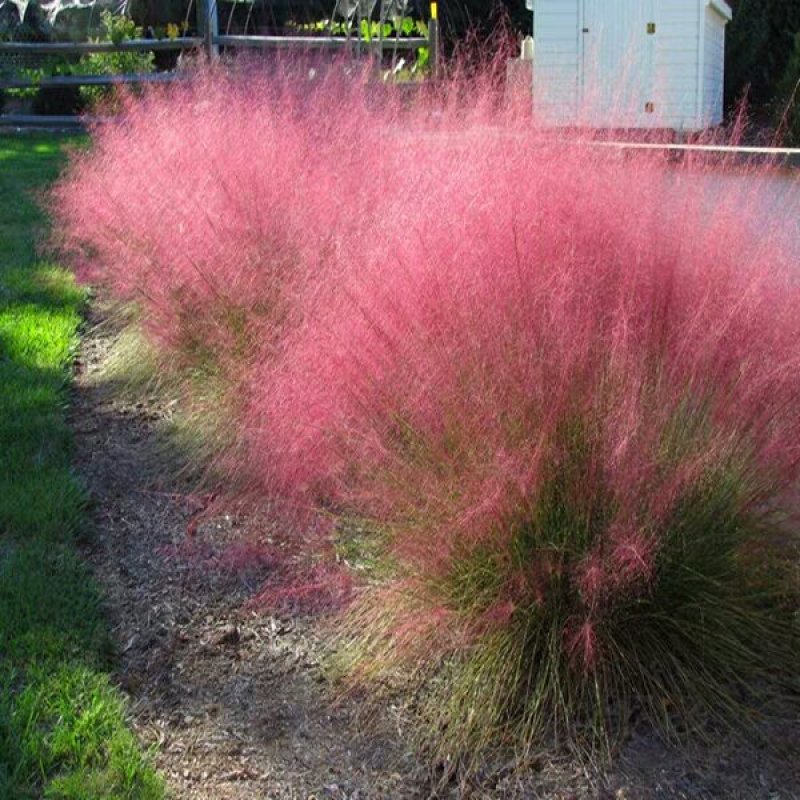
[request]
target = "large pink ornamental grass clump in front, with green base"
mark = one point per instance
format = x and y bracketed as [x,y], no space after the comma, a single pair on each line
[562,403]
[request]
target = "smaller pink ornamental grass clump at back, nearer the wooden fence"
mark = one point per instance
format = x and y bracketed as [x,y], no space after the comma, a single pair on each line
[208,208]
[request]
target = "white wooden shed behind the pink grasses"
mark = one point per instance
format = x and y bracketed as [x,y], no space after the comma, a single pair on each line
[629,63]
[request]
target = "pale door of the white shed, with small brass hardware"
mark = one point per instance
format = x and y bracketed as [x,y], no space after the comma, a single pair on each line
[617,64]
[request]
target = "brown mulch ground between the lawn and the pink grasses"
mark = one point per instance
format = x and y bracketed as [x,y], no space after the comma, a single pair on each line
[236,700]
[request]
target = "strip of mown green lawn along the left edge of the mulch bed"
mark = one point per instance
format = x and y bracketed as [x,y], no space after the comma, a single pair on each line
[63,732]
